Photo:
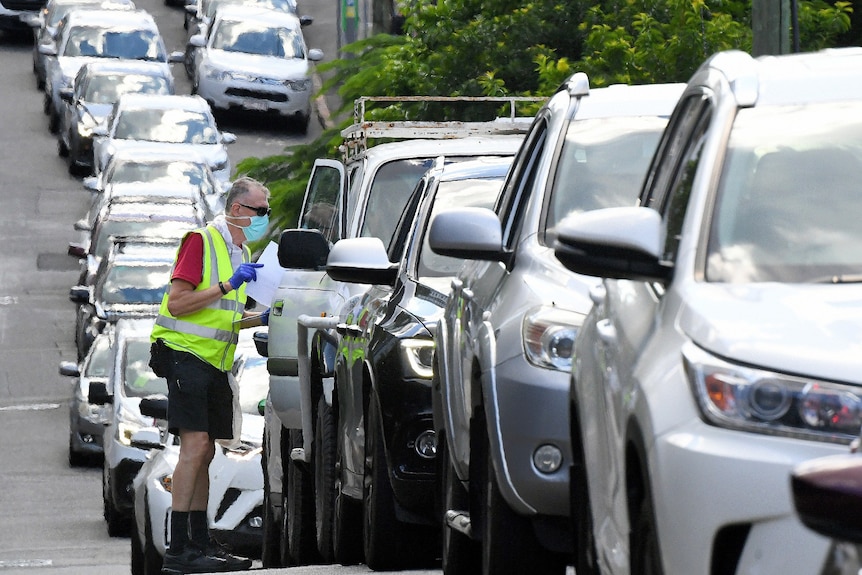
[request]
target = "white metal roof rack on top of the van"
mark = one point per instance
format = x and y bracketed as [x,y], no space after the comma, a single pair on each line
[356,136]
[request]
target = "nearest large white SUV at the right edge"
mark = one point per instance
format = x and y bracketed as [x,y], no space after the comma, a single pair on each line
[722,349]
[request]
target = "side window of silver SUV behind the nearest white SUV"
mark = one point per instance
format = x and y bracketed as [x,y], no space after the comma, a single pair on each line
[519,184]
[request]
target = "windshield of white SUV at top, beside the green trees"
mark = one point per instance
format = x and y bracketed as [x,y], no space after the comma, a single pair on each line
[250,38]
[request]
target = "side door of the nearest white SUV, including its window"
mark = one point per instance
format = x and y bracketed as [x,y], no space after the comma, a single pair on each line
[628,322]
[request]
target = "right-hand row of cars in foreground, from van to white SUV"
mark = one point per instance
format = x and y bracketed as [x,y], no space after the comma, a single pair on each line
[632,343]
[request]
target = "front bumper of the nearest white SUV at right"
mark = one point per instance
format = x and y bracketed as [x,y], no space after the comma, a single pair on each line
[707,480]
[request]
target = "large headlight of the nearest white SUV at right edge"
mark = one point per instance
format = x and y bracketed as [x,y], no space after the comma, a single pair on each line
[763,401]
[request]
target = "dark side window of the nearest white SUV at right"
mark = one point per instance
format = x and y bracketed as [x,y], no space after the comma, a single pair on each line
[675,166]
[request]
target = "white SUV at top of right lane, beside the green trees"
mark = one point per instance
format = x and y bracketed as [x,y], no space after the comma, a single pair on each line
[255,60]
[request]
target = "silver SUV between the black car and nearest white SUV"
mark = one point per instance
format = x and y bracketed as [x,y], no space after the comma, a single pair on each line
[505,338]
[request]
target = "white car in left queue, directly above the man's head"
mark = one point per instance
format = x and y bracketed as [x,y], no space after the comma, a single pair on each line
[183,124]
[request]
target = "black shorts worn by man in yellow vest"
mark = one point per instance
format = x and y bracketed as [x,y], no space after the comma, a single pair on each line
[199,397]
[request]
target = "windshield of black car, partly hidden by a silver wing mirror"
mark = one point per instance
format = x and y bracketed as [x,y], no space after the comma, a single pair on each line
[480,193]
